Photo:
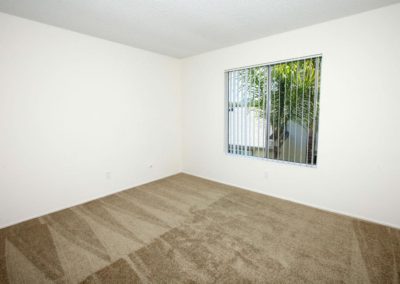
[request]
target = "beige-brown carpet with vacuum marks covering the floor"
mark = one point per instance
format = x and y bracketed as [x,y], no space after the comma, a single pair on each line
[184,229]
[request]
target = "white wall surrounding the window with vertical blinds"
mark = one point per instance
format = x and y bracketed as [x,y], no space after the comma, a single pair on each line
[358,169]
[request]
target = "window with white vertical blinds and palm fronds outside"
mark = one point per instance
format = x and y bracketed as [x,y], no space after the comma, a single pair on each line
[273,111]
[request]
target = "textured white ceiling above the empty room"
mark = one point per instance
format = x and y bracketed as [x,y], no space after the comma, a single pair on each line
[182,28]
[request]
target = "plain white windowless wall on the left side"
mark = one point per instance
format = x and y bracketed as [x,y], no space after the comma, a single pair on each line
[80,118]
